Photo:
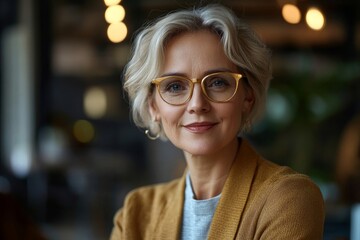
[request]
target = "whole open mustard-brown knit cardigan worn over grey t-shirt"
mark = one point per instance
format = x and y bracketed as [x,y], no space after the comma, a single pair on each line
[260,200]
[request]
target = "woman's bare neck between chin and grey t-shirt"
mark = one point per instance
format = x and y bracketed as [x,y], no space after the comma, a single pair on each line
[209,173]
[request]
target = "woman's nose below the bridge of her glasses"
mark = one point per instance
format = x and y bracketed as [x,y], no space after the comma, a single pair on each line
[198,102]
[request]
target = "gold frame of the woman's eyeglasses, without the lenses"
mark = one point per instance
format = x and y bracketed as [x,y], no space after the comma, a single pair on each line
[236,76]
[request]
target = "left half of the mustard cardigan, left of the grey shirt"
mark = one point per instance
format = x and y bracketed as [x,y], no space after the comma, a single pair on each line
[152,212]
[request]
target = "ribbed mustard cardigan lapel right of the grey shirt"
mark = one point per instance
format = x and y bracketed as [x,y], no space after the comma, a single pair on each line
[235,194]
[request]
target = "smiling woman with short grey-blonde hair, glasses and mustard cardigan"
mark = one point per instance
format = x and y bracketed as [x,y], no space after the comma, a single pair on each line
[198,78]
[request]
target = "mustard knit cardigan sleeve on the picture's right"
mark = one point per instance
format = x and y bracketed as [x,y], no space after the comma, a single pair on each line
[294,209]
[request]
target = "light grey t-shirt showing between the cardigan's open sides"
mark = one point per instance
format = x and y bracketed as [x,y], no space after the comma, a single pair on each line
[197,214]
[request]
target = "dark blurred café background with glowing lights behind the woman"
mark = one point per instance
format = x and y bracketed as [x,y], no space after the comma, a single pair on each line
[70,153]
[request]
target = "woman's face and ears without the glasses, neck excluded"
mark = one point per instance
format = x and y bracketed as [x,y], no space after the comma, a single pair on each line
[200,127]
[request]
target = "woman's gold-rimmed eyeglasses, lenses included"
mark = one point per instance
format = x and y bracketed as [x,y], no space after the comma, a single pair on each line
[217,87]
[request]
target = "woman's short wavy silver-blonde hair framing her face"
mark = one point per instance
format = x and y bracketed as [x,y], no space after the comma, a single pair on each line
[241,45]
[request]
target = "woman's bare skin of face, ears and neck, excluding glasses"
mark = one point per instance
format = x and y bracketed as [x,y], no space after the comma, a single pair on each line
[205,131]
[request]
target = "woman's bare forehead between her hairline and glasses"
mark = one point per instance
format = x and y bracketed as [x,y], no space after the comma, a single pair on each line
[193,53]
